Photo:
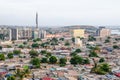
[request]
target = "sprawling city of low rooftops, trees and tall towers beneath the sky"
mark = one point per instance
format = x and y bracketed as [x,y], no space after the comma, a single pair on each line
[72,52]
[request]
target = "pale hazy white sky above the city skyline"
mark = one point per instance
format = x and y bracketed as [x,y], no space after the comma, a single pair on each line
[60,12]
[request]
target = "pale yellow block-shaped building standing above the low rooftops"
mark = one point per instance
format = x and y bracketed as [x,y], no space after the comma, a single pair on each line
[78,33]
